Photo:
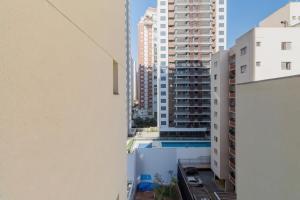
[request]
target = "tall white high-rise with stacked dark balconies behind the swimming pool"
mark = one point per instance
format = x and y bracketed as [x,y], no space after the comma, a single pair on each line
[189,31]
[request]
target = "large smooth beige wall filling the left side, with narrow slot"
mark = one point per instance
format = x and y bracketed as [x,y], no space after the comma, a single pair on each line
[61,127]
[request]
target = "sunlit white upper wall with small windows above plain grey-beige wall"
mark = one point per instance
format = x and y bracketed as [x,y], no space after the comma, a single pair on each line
[268,53]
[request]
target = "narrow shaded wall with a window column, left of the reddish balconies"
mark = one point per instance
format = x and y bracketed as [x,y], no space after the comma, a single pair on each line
[219,114]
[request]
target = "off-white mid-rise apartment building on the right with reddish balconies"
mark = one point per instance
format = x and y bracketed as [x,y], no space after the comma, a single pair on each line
[266,52]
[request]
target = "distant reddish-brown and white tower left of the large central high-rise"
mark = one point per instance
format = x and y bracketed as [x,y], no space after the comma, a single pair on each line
[147,52]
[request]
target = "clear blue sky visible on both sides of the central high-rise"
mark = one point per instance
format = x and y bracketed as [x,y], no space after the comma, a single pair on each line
[242,16]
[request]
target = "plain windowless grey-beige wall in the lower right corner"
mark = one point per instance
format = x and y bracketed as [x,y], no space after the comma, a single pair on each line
[268,141]
